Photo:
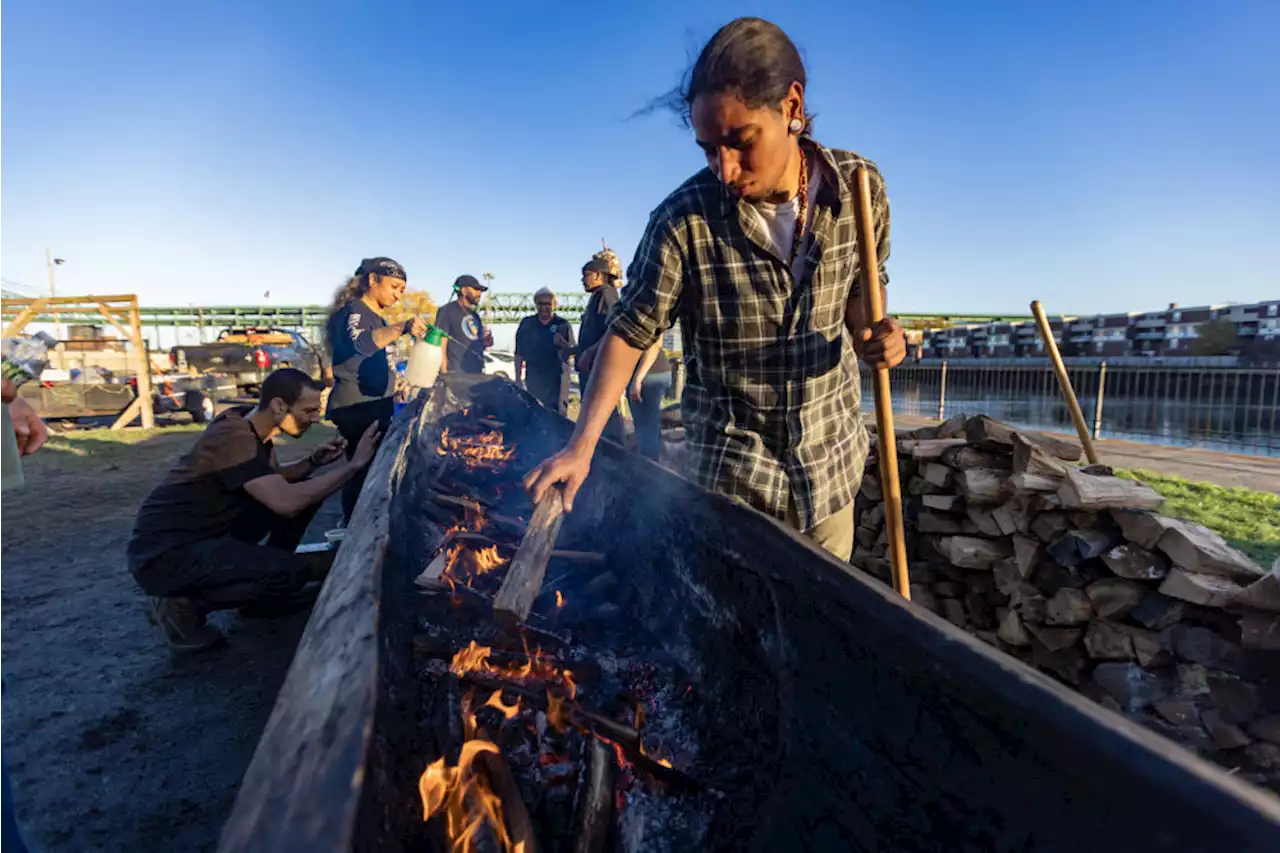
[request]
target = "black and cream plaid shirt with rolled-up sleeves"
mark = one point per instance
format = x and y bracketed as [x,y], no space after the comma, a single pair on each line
[771,403]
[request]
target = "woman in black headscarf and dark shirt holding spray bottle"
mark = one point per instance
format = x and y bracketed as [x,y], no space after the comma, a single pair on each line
[363,353]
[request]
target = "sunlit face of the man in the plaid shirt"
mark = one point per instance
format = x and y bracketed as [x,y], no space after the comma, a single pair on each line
[747,149]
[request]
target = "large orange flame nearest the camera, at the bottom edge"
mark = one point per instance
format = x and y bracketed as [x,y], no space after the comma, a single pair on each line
[465,799]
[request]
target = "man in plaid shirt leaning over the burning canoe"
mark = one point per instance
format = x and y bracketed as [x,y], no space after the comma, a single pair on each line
[757,258]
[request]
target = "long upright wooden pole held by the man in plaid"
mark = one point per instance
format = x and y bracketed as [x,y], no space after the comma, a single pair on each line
[875,312]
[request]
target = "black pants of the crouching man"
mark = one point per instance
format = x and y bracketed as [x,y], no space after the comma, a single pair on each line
[235,571]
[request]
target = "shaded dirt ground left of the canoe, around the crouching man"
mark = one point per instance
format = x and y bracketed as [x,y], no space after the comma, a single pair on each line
[113,743]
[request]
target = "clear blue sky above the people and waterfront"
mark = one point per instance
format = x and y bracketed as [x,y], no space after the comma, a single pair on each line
[1101,157]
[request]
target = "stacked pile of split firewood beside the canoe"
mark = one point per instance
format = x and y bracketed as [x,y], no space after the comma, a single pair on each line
[1075,572]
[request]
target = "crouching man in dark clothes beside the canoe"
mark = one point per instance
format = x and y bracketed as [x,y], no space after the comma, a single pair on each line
[198,545]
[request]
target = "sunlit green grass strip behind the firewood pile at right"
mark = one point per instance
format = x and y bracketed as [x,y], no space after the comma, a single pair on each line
[1250,521]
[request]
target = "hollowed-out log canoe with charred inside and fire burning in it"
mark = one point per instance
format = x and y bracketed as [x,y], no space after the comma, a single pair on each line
[691,677]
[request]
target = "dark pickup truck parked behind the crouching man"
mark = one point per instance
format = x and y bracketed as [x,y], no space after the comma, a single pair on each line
[248,355]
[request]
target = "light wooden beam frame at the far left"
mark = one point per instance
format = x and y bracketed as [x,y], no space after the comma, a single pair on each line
[120,312]
